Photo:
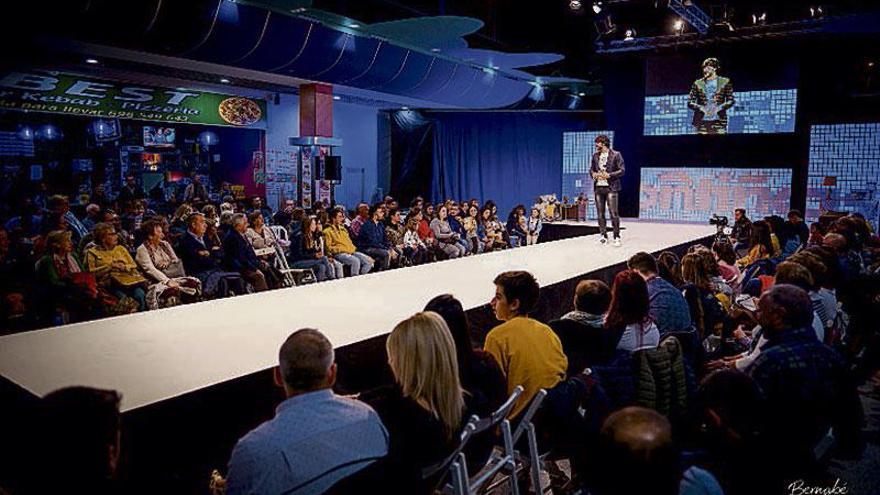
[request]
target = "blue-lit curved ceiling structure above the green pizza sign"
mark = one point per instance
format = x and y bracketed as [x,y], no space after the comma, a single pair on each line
[425,58]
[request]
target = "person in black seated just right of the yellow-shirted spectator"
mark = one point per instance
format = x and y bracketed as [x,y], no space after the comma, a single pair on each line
[582,332]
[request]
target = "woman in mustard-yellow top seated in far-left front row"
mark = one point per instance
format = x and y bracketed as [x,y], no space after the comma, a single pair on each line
[115,270]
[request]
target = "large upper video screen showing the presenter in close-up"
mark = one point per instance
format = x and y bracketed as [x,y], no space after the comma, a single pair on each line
[719,94]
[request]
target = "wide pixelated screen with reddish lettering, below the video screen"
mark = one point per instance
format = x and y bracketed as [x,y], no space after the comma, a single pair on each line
[694,194]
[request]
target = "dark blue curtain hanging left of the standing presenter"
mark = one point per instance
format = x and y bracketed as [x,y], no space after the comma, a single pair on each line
[508,157]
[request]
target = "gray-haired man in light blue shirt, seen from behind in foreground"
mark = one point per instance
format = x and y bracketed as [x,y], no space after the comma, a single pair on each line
[316,438]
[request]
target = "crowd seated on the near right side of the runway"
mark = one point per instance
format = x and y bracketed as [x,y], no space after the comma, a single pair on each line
[704,375]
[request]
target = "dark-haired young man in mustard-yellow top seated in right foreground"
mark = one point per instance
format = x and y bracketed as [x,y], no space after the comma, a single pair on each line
[528,351]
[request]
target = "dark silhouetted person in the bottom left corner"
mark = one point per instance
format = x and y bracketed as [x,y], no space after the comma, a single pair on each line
[80,437]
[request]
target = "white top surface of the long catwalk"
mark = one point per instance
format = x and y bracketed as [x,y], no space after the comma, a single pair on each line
[157,355]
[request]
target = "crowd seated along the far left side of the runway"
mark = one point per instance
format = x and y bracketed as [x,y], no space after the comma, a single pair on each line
[62,263]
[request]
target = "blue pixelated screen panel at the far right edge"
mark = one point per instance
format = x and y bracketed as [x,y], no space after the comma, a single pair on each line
[844,170]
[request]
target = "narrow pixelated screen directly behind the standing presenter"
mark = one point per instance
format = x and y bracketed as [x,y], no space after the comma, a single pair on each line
[577,151]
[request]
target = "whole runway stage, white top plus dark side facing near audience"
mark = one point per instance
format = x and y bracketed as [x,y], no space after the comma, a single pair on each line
[195,378]
